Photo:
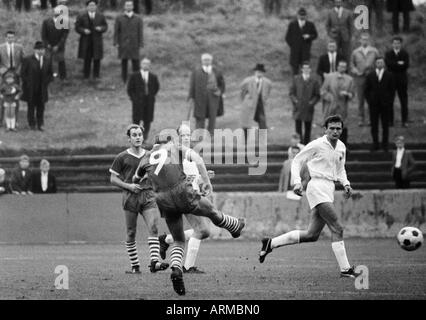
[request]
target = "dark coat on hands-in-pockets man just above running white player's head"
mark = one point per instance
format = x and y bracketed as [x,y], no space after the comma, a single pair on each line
[304,95]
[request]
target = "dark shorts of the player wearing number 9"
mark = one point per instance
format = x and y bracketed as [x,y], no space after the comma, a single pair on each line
[178,200]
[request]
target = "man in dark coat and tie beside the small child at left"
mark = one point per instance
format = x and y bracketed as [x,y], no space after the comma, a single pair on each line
[36,74]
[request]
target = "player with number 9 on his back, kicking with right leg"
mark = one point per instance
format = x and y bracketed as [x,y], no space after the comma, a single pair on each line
[175,196]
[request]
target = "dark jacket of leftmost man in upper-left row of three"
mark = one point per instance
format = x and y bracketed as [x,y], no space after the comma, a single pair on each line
[53,36]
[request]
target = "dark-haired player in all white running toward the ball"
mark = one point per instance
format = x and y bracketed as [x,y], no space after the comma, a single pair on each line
[325,158]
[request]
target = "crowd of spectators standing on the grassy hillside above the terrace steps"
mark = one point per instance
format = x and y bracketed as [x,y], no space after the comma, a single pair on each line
[345,72]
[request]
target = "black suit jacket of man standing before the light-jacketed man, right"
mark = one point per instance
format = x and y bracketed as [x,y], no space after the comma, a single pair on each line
[379,94]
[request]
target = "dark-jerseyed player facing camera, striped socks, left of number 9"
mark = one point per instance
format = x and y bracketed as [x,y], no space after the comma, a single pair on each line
[137,199]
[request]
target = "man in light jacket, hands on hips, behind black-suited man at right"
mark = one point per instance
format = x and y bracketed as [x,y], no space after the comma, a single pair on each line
[362,62]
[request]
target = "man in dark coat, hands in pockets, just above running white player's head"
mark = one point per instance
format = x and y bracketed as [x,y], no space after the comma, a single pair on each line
[304,94]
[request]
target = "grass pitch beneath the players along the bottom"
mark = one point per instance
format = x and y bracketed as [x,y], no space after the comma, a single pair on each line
[299,272]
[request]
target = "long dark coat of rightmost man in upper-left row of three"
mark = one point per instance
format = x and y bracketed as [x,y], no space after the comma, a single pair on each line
[128,36]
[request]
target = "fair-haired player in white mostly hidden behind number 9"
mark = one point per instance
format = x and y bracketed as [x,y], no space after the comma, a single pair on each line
[200,225]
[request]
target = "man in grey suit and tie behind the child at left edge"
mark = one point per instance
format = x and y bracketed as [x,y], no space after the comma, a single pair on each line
[11,56]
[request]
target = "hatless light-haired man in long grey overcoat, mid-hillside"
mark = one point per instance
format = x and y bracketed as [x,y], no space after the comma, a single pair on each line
[206,90]
